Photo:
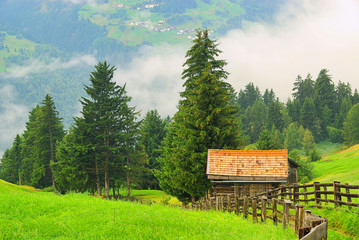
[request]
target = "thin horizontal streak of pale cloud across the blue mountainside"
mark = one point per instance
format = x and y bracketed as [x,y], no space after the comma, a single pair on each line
[37,66]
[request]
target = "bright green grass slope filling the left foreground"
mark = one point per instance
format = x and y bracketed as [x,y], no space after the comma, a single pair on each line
[27,214]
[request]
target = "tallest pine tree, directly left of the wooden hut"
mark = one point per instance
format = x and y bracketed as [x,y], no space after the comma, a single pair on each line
[205,119]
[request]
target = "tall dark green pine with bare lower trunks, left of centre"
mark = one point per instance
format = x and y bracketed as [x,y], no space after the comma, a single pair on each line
[108,125]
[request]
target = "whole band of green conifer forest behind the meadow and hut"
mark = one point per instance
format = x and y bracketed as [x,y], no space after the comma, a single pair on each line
[108,147]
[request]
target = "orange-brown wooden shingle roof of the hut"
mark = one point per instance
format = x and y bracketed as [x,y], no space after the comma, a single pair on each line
[247,164]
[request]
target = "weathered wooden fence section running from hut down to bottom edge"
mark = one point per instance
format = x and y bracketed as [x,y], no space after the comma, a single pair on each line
[283,211]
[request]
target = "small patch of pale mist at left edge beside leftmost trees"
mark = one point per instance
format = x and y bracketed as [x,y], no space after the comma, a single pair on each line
[12,117]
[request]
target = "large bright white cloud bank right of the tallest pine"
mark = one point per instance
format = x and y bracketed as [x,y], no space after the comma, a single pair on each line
[306,37]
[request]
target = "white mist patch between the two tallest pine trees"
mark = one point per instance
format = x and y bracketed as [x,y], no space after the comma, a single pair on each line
[153,78]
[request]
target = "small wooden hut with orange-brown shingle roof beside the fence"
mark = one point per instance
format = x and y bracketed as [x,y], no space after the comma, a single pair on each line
[249,172]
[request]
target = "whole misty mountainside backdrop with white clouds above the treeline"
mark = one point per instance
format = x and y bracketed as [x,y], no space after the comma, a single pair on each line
[51,46]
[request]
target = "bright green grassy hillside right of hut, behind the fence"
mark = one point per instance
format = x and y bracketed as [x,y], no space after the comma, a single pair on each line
[341,166]
